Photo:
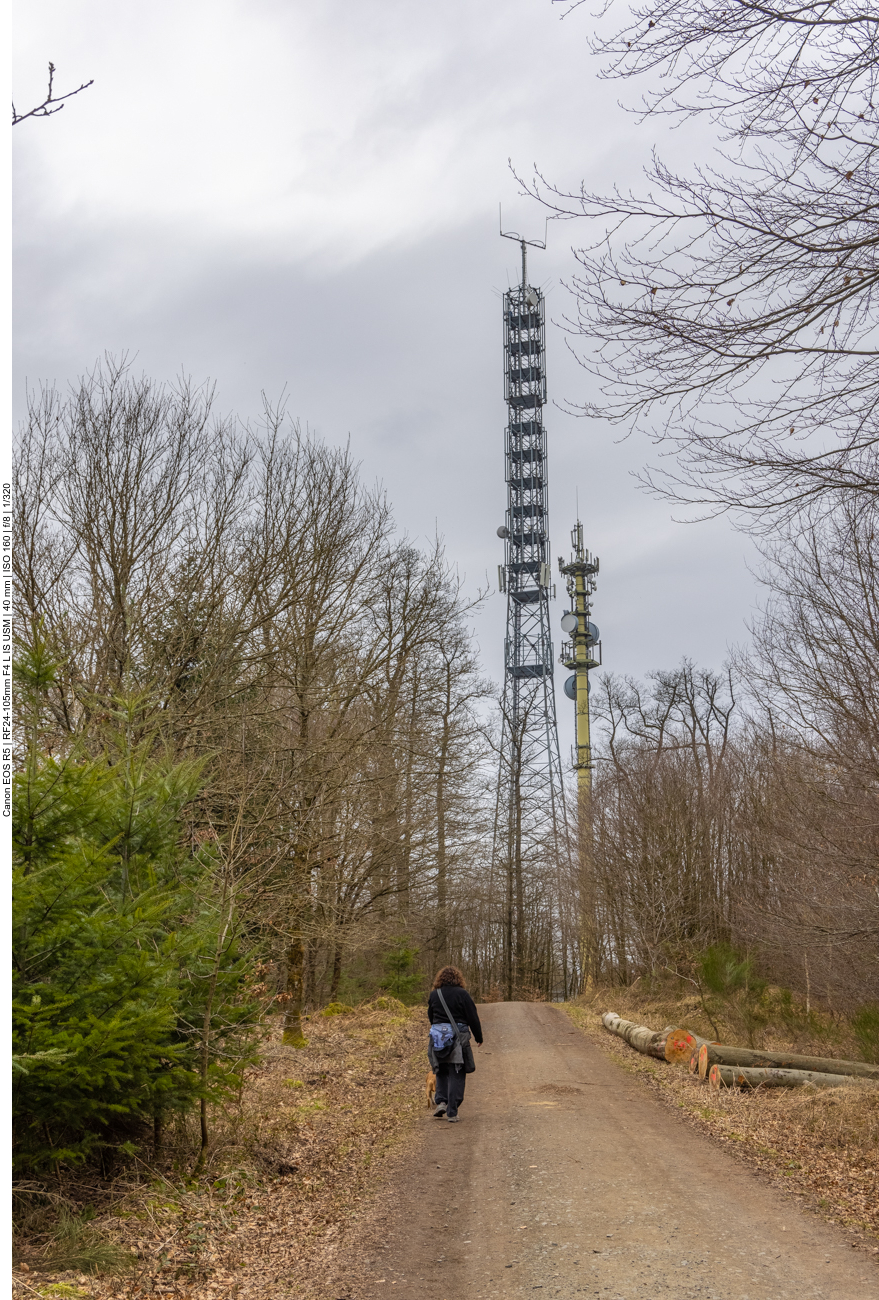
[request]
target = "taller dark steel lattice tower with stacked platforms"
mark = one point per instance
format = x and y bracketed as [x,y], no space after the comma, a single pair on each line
[530,830]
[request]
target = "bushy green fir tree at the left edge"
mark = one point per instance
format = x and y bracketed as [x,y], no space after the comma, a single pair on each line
[119,948]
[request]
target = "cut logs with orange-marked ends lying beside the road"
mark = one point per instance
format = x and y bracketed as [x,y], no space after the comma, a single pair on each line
[738,1068]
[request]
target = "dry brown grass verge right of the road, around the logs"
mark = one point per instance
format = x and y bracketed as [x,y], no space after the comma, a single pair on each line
[821,1147]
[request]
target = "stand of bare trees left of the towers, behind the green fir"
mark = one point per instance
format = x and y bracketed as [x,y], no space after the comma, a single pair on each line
[246,590]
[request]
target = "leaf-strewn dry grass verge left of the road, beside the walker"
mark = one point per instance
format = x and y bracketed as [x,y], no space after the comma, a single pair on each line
[285,1172]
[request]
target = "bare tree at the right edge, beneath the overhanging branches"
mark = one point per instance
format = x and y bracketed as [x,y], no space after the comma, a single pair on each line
[816,752]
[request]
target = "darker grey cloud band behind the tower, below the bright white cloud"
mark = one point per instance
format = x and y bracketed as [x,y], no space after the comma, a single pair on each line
[402,356]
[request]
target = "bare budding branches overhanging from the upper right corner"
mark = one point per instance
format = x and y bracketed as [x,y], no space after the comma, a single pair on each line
[733,310]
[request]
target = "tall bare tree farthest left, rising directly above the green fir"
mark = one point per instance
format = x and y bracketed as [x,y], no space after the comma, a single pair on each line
[131,496]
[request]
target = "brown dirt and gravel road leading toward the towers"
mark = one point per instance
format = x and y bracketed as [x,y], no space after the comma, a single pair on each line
[565,1177]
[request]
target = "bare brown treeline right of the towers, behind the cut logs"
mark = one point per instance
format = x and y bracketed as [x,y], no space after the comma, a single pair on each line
[742,808]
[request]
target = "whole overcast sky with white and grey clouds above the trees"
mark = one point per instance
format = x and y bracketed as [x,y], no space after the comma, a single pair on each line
[304,197]
